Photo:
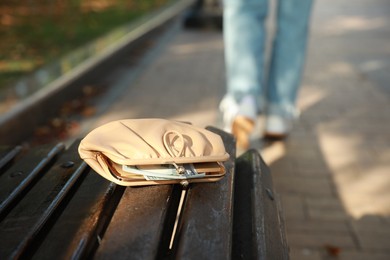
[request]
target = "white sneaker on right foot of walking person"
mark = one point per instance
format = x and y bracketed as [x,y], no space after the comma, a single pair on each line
[277,127]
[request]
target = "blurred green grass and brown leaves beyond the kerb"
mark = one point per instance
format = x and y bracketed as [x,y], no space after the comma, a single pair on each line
[36,32]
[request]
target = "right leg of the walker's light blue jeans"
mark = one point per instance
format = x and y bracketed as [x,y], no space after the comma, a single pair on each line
[288,56]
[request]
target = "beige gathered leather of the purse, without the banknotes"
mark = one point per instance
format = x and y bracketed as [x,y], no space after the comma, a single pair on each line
[137,142]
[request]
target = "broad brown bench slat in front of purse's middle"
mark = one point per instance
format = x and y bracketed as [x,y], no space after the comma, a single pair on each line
[142,220]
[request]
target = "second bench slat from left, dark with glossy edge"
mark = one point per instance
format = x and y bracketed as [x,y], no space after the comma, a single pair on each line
[12,188]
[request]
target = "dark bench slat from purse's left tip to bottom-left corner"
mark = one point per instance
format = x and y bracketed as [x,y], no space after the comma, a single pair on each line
[23,224]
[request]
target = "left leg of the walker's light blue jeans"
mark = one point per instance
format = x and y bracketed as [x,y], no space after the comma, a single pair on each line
[244,37]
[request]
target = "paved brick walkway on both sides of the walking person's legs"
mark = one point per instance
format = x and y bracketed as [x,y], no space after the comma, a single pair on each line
[333,173]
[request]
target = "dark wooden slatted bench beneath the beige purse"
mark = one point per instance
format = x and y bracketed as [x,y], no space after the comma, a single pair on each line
[53,206]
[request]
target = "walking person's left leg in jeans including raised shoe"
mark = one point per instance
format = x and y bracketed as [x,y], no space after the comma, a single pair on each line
[244,37]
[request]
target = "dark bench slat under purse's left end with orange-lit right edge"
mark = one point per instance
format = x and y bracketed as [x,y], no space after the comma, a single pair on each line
[78,229]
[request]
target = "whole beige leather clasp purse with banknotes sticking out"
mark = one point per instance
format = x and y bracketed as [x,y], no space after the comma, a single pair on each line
[135,152]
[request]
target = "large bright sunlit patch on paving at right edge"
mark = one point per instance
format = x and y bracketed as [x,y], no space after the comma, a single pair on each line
[362,180]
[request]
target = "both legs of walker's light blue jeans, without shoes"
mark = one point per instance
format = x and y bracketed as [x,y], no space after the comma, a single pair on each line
[244,37]
